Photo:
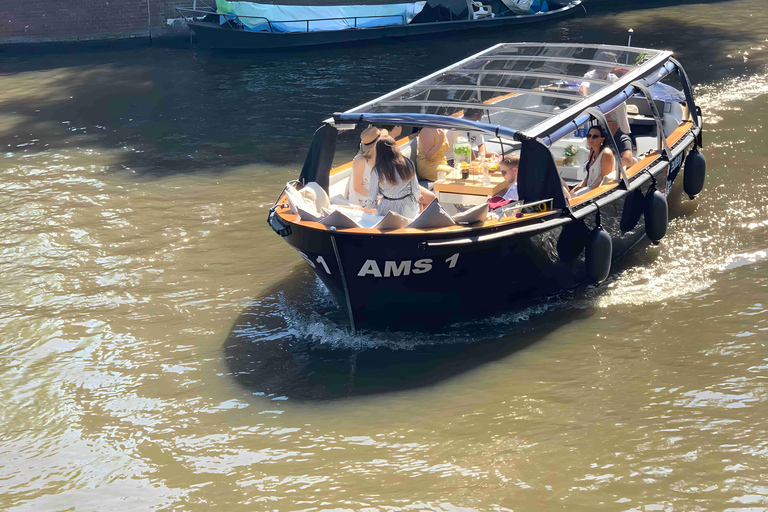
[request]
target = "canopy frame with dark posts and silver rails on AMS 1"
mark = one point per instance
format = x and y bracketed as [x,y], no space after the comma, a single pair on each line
[533,138]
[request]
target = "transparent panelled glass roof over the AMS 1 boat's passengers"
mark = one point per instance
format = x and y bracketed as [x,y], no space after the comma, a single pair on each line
[521,86]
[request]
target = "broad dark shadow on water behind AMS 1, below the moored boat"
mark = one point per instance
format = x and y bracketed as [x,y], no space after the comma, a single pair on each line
[166,110]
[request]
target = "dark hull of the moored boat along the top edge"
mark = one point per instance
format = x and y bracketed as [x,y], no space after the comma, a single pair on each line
[213,35]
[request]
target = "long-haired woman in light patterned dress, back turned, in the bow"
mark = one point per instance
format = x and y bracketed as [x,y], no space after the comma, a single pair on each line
[394,177]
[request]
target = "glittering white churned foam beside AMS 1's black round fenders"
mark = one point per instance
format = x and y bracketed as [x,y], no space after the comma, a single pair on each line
[699,246]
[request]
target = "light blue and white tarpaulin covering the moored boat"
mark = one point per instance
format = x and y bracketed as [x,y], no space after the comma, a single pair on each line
[293,18]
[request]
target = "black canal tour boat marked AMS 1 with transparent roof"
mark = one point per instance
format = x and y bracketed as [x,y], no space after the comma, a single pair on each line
[459,261]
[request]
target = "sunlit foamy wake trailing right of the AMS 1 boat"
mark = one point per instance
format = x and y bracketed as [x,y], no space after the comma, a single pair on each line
[720,230]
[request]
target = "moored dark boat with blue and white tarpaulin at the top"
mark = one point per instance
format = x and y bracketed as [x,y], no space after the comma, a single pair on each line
[255,26]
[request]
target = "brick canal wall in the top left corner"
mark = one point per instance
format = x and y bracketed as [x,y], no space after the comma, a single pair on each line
[72,20]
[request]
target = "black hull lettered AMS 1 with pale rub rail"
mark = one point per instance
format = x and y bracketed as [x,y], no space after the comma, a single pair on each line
[418,281]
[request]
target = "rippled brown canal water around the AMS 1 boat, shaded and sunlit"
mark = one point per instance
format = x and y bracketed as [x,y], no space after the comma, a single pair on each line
[162,349]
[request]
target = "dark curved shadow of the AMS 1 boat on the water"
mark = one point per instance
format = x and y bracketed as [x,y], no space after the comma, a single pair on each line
[295,342]
